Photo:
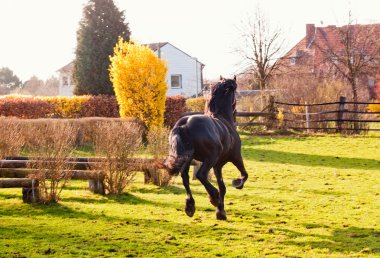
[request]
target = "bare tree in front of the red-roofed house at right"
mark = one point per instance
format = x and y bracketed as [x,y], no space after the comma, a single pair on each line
[352,55]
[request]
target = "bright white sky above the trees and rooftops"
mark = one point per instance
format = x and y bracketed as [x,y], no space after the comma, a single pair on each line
[39,36]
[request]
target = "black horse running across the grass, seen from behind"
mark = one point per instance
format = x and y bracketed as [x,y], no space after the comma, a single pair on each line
[212,139]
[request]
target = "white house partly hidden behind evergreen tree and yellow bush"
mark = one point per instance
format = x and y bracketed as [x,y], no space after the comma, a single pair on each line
[184,76]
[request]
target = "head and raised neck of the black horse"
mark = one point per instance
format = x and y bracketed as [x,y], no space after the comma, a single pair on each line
[222,100]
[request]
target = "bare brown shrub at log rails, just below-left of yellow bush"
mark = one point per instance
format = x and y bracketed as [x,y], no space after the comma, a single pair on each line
[117,141]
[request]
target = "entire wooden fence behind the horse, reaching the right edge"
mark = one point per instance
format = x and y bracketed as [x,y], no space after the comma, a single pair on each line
[338,116]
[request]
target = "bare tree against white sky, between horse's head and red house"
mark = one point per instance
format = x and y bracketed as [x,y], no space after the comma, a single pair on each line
[263,46]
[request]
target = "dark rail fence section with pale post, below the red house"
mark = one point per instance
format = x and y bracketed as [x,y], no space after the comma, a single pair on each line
[339,116]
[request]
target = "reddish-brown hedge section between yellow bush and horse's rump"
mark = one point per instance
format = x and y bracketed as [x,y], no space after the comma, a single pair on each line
[174,107]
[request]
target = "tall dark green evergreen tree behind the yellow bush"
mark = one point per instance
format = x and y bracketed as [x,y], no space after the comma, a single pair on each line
[98,33]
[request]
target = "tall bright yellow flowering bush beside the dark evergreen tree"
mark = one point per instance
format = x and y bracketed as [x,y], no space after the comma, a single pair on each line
[138,78]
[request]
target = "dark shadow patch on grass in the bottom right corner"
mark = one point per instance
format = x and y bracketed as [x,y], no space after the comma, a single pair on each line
[346,240]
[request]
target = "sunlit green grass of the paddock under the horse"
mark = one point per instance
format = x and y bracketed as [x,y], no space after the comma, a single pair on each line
[306,197]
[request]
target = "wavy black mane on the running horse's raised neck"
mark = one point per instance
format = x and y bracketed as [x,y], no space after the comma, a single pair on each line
[212,107]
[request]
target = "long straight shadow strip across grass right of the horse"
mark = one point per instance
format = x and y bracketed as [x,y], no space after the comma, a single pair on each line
[311,160]
